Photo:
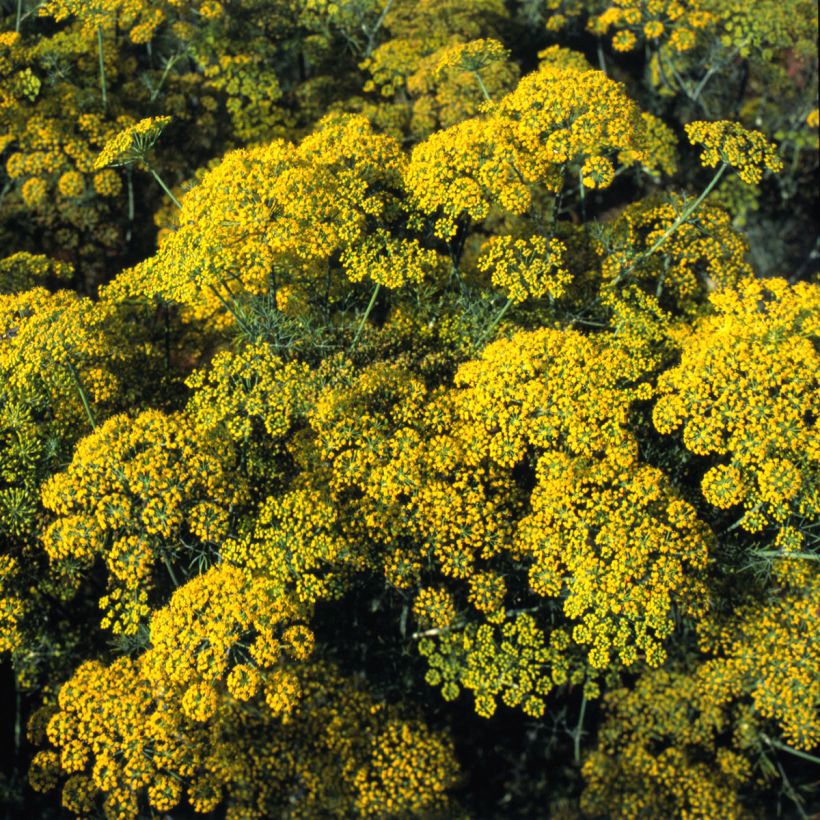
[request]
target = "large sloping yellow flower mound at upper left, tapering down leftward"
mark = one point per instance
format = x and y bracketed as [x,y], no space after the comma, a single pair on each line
[279,206]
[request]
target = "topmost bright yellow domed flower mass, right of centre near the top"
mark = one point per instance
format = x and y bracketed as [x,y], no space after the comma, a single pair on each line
[556,117]
